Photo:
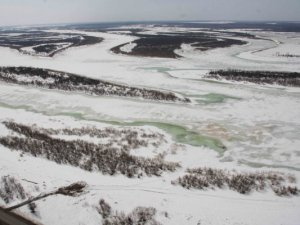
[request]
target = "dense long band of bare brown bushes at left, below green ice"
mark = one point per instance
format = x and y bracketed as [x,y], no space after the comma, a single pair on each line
[89,156]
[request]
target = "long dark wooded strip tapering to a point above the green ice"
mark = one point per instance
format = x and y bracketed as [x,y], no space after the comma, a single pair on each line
[71,82]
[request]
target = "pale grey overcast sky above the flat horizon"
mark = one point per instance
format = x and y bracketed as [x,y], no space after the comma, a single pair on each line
[17,12]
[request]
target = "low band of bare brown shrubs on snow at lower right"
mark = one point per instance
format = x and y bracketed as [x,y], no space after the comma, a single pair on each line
[208,178]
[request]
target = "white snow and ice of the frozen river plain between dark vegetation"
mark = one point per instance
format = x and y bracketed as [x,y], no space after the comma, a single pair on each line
[259,125]
